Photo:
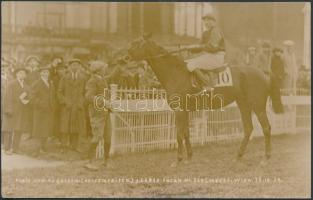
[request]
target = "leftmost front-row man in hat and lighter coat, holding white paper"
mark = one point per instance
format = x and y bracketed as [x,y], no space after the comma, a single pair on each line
[16,98]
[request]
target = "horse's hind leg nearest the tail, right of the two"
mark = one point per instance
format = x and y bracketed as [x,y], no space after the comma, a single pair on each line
[263,119]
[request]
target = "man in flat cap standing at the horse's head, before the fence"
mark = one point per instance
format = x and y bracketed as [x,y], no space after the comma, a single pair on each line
[98,114]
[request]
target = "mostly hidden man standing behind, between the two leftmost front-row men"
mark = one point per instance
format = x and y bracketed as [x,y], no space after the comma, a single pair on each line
[32,65]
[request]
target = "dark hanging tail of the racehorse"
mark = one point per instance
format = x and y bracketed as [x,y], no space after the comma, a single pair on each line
[275,95]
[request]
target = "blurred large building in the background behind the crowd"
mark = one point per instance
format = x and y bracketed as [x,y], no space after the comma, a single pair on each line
[80,27]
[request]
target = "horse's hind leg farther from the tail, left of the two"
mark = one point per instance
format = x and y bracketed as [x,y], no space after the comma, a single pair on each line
[247,126]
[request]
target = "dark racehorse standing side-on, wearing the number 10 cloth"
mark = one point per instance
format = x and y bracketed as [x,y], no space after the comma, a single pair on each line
[250,90]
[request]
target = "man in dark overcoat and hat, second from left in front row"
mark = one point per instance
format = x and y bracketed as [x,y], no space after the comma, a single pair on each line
[43,98]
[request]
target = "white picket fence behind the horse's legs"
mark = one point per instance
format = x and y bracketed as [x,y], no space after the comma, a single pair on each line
[146,131]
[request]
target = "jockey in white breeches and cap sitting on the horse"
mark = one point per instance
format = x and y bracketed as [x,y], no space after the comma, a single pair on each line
[211,50]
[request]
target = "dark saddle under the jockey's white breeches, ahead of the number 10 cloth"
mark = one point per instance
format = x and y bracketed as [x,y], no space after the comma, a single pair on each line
[205,79]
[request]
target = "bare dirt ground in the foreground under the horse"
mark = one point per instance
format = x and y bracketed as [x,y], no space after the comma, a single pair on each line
[212,173]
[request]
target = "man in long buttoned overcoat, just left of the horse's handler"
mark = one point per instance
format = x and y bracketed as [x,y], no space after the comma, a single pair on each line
[70,94]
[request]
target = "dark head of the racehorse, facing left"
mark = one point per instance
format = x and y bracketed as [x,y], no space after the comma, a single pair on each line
[143,48]
